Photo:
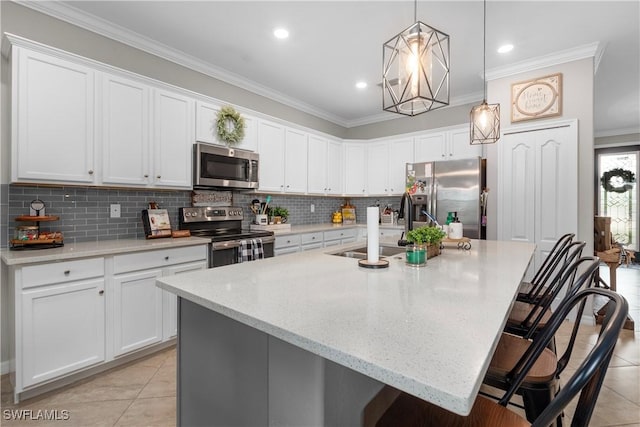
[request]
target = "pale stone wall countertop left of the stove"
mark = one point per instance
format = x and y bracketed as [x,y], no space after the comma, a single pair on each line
[92,249]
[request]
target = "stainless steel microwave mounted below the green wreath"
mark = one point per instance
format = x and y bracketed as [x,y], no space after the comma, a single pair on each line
[215,166]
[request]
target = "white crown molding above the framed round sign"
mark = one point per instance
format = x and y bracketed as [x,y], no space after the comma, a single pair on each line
[592,50]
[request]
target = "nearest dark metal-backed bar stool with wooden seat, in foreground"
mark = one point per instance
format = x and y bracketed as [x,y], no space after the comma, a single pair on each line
[407,411]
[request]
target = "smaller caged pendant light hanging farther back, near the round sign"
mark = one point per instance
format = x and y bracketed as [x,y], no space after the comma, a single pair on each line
[485,118]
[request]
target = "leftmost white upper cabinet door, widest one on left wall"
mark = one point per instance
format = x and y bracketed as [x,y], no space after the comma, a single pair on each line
[53,126]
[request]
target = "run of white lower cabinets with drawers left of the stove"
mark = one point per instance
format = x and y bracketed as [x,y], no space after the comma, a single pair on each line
[72,315]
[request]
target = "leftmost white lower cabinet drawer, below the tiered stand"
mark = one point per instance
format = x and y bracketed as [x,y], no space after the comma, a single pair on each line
[58,272]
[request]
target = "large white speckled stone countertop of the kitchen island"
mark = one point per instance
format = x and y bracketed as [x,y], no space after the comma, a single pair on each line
[428,331]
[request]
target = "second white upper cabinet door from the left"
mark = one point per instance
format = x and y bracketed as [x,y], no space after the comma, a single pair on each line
[125,131]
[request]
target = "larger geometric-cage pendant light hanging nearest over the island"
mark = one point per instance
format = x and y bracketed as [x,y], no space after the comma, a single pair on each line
[415,70]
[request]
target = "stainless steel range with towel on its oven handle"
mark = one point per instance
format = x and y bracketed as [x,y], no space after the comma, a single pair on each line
[224,226]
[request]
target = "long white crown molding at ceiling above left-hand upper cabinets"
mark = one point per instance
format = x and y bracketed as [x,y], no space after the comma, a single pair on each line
[107,29]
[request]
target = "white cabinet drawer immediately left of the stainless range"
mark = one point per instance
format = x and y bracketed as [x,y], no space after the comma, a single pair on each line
[157,258]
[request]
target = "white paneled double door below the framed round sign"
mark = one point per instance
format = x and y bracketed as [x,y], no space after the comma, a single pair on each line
[538,185]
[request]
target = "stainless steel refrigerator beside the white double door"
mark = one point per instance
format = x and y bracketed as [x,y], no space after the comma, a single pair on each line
[458,186]
